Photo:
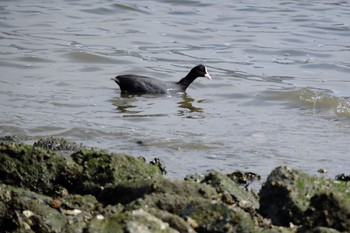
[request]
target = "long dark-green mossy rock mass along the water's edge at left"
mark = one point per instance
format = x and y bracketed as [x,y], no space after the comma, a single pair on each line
[85,172]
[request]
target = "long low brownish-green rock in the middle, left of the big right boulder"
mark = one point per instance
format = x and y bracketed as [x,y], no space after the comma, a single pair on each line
[159,193]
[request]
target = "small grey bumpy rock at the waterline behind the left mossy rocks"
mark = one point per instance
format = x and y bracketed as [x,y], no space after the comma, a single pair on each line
[57,144]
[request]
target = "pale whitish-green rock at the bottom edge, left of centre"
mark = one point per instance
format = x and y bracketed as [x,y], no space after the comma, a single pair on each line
[135,221]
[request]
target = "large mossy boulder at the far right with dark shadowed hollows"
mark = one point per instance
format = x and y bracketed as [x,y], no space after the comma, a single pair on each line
[291,196]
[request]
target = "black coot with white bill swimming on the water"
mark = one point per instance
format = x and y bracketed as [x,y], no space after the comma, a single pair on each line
[135,84]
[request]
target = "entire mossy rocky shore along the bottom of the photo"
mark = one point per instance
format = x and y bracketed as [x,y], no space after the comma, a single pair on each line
[42,190]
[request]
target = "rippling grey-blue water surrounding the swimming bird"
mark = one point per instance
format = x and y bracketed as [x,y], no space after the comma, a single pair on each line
[279,94]
